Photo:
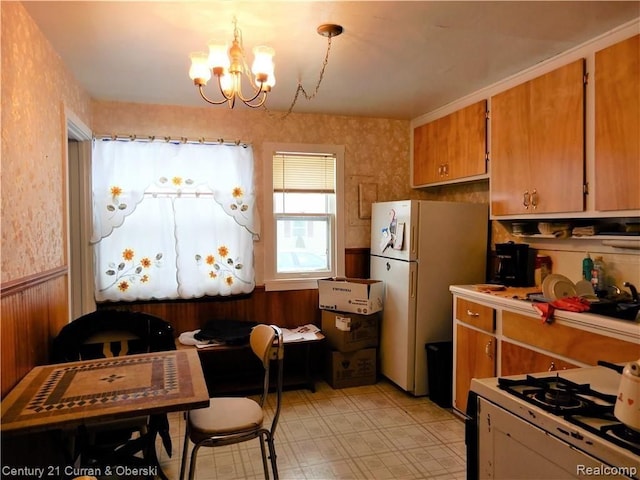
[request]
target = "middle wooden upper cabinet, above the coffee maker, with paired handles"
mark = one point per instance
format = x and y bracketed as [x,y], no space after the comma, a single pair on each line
[537,144]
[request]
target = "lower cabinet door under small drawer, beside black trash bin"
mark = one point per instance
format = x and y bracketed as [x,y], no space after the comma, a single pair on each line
[475,358]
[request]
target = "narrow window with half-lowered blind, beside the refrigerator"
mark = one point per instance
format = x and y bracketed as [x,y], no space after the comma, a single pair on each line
[304,239]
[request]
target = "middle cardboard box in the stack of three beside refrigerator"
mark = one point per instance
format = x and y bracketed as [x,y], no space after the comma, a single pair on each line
[348,332]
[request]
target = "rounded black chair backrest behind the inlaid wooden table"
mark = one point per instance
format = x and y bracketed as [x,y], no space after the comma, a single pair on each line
[111,333]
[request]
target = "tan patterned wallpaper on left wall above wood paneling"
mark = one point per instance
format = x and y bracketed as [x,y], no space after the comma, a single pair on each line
[36,89]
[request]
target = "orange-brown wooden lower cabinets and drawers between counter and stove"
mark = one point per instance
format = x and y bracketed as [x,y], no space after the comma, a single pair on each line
[527,345]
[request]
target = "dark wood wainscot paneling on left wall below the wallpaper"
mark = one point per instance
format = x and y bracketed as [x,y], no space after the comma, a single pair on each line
[34,309]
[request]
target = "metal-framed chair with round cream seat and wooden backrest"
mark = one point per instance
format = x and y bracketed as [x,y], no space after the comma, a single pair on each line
[230,420]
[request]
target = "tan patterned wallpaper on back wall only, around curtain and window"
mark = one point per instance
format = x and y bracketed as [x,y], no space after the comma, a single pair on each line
[376,150]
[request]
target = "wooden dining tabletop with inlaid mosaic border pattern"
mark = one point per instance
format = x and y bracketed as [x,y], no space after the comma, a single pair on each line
[71,395]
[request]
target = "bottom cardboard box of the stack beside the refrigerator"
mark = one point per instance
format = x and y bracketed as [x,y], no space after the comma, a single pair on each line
[352,369]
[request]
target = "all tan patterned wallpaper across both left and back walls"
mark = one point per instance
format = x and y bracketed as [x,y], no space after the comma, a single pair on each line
[33,147]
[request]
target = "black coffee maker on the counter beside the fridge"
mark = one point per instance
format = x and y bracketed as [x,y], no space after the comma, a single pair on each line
[516,264]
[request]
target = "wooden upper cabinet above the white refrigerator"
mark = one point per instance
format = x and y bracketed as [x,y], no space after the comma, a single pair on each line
[452,147]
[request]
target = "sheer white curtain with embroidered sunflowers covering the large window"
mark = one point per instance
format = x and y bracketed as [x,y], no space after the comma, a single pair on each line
[172,220]
